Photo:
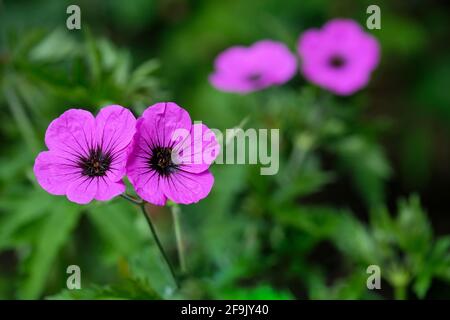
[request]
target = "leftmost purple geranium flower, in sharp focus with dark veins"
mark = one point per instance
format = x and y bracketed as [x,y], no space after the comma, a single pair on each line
[87,156]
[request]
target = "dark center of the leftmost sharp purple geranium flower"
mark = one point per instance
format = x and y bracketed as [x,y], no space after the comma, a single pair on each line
[96,164]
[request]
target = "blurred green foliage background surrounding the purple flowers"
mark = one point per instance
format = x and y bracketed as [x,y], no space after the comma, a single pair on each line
[310,231]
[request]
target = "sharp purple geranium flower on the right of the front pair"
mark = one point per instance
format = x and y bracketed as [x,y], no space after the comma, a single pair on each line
[170,157]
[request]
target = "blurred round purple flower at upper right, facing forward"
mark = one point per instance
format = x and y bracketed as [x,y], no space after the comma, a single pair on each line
[340,57]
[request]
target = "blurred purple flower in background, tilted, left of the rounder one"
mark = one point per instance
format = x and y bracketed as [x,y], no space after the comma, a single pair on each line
[264,64]
